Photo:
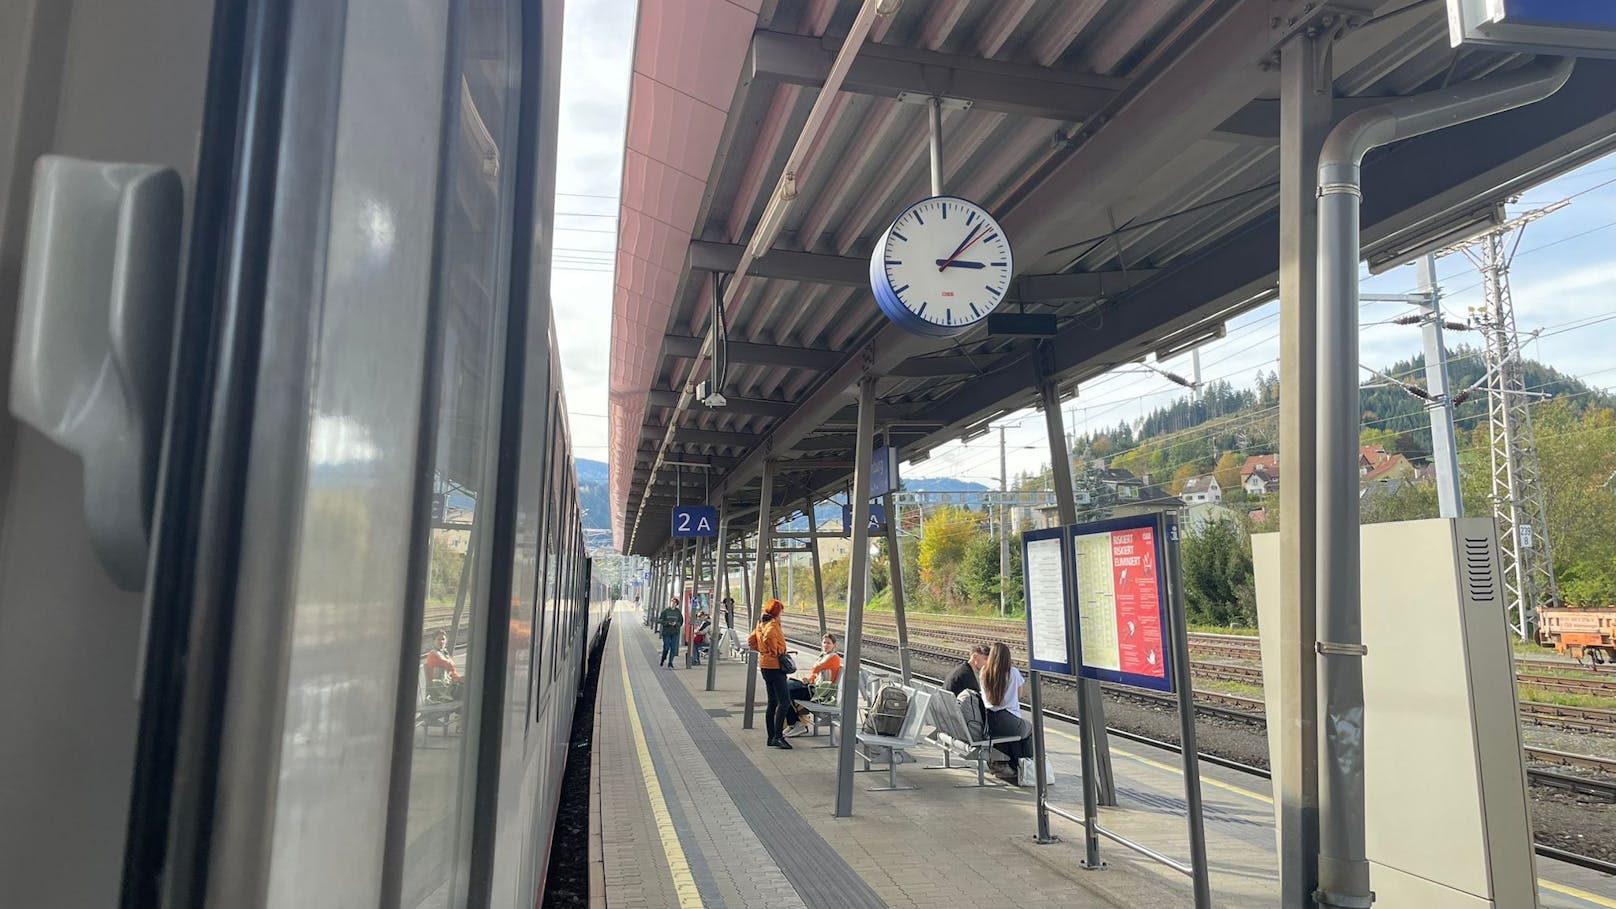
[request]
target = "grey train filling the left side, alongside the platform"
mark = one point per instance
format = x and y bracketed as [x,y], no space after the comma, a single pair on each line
[329,425]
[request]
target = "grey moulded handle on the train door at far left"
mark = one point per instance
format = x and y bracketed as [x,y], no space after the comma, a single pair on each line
[96,334]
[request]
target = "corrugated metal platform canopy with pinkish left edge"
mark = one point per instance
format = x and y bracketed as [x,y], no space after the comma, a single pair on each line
[1130,150]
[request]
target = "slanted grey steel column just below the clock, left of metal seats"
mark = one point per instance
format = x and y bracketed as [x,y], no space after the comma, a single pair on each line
[857,560]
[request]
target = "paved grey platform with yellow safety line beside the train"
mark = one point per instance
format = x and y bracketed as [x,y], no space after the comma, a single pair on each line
[689,810]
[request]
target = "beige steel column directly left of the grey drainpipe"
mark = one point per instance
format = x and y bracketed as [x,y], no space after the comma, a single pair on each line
[1307,77]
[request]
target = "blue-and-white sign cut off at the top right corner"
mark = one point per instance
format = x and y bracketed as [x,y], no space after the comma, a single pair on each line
[1568,27]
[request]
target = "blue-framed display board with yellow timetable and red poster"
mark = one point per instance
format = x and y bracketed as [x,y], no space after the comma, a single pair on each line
[1122,602]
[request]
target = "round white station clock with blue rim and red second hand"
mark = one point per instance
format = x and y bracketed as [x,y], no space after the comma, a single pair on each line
[941,268]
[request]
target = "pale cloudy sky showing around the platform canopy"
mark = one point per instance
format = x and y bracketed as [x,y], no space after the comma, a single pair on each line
[1563,281]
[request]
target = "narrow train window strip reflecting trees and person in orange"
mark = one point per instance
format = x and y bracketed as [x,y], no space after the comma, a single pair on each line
[474,214]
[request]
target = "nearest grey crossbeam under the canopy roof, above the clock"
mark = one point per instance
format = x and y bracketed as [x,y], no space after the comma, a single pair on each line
[888,72]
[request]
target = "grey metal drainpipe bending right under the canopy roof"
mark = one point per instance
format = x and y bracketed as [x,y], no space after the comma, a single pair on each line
[1344,865]
